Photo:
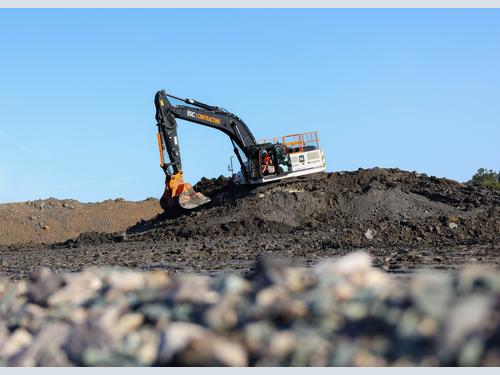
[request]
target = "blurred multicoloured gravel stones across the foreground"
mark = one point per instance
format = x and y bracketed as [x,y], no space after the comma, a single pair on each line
[339,313]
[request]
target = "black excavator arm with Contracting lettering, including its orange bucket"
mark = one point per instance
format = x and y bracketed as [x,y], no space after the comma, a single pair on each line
[176,190]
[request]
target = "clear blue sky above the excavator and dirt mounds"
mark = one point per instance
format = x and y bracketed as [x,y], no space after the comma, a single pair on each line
[414,89]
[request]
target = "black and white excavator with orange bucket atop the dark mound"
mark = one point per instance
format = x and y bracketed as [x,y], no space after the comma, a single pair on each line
[261,161]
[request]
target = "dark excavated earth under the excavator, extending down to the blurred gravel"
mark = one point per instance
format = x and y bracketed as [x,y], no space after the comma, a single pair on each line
[404,220]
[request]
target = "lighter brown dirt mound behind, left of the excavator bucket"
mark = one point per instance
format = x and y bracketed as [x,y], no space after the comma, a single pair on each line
[52,220]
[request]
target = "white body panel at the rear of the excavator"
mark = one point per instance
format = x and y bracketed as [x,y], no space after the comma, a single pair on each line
[303,163]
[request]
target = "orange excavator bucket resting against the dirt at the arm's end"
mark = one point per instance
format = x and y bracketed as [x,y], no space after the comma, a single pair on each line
[180,193]
